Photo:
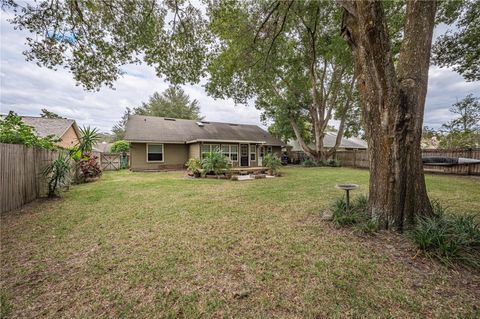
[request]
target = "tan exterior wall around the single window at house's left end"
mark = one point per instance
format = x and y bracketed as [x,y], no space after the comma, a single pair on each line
[174,157]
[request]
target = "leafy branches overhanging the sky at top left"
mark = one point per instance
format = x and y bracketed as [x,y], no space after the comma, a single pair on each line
[94,39]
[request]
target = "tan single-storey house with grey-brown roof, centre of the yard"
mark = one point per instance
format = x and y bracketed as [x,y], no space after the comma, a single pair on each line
[160,143]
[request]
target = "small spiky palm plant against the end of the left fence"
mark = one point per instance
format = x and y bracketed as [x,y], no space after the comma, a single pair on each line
[57,173]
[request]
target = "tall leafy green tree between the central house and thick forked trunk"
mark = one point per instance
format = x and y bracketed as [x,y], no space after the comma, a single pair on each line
[290,58]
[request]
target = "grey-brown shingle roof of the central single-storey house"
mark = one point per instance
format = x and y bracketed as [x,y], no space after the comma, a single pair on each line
[167,130]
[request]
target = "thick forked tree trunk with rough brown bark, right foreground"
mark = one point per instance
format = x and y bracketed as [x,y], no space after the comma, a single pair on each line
[393,102]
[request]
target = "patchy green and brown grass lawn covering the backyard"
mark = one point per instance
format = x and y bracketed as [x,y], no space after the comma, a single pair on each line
[157,244]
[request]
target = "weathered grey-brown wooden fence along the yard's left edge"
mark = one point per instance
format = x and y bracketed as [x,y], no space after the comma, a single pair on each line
[21,179]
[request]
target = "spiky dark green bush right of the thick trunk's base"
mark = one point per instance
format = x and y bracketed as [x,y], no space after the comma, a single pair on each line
[449,237]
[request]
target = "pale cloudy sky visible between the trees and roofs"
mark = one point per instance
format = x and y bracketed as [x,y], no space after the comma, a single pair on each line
[26,88]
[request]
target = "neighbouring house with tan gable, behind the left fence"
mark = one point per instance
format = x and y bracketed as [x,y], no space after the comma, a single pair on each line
[64,129]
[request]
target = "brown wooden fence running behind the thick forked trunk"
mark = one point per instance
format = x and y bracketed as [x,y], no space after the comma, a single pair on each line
[359,159]
